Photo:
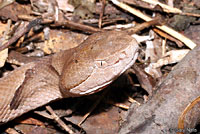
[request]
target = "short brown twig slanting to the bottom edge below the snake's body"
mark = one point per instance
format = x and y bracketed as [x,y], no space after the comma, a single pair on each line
[58,120]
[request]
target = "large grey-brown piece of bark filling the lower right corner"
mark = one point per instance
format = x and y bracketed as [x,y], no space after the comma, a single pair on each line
[161,113]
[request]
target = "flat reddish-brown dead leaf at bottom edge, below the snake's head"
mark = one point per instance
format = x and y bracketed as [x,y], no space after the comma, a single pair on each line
[106,122]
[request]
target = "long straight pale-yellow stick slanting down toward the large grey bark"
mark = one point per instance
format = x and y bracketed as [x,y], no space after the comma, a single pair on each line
[168,30]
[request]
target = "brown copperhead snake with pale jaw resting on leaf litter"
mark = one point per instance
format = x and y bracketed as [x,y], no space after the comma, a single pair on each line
[83,70]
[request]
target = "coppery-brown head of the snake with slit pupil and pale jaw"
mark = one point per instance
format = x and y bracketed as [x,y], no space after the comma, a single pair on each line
[97,62]
